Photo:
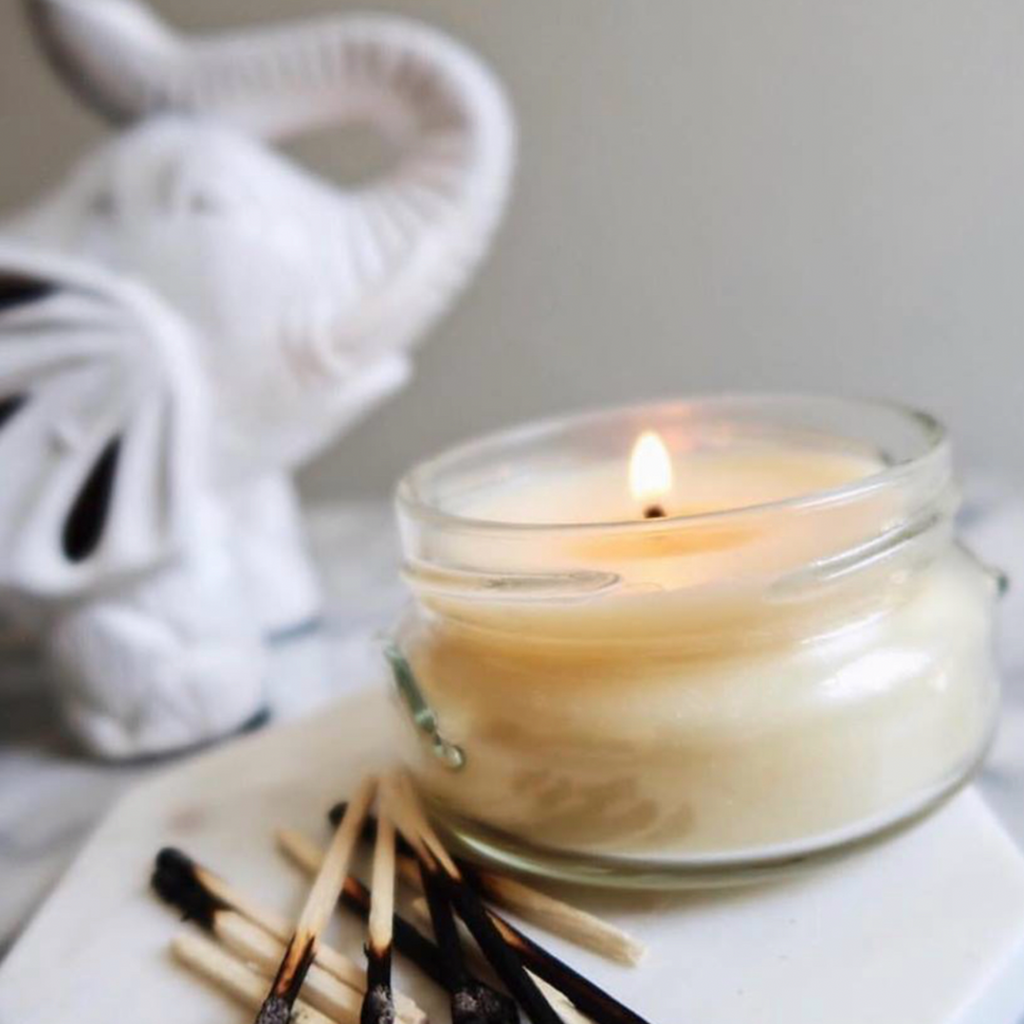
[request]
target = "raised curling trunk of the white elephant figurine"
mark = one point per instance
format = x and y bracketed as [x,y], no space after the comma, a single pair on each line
[423,226]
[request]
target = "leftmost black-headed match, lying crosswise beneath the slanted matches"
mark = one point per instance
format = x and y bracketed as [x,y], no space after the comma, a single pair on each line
[240,923]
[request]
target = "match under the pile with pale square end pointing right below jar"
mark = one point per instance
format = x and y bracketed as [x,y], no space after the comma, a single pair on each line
[539,909]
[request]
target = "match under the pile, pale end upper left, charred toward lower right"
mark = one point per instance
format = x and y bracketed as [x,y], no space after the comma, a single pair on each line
[407,940]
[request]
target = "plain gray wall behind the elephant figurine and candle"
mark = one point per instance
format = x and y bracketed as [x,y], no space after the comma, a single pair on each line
[722,195]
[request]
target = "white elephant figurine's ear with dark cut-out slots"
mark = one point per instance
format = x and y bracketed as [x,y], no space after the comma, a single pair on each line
[100,407]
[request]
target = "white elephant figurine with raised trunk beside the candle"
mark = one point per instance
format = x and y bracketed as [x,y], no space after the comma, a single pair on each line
[191,316]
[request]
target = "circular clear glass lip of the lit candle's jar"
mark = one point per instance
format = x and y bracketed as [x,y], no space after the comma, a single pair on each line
[410,501]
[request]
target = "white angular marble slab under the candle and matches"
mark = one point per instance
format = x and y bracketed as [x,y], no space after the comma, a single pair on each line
[925,929]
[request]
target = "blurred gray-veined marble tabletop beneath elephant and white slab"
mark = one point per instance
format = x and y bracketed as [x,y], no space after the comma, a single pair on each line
[52,798]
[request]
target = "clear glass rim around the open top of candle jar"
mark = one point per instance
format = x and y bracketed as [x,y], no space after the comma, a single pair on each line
[930,459]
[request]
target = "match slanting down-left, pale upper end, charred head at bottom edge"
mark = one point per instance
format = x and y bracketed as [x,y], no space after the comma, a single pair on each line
[302,949]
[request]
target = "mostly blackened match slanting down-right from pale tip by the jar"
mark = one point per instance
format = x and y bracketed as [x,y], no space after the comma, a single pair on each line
[436,863]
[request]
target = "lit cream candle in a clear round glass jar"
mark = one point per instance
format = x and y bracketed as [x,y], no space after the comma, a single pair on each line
[692,642]
